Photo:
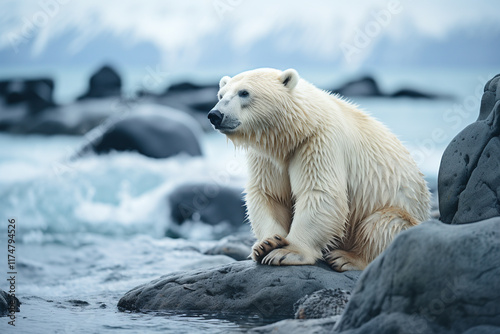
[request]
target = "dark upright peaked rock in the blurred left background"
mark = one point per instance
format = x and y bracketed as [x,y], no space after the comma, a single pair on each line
[105,82]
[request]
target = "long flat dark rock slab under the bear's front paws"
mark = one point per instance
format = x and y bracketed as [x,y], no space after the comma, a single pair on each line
[266,292]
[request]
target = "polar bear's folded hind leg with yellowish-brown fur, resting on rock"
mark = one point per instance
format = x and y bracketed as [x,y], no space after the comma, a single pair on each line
[369,238]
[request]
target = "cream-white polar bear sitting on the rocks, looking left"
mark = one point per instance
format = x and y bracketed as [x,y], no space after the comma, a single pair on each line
[326,180]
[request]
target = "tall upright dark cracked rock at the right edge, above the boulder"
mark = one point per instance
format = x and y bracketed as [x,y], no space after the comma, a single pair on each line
[469,182]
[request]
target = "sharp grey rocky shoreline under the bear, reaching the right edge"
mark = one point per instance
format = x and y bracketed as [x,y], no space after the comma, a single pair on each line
[438,277]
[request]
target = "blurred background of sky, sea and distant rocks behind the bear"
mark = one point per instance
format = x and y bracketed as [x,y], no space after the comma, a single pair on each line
[111,168]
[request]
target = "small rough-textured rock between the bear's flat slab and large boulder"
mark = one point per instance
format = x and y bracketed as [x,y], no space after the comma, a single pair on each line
[322,304]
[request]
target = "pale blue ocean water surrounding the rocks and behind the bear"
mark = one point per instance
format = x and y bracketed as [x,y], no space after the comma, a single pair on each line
[89,230]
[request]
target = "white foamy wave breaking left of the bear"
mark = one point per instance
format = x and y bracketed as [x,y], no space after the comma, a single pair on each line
[122,193]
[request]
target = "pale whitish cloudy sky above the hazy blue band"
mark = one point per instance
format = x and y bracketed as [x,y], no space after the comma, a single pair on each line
[179,28]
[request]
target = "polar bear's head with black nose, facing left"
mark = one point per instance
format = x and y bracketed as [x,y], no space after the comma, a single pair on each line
[254,104]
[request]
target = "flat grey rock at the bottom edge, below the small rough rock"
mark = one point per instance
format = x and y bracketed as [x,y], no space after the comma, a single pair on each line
[309,326]
